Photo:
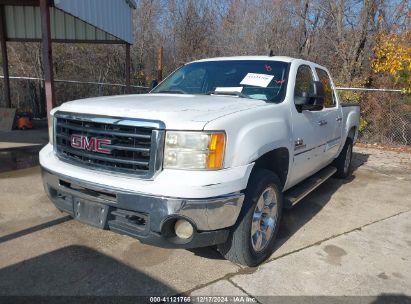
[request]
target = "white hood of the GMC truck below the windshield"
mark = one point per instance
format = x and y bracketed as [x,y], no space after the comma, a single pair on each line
[177,111]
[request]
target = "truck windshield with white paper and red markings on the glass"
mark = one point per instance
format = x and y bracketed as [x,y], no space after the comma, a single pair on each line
[256,79]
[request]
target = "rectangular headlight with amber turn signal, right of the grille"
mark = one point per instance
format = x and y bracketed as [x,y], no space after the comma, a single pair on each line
[194,150]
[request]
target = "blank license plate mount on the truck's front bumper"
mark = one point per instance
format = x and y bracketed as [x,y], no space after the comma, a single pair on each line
[91,213]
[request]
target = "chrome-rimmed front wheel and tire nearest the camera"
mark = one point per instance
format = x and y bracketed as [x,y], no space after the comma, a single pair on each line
[252,238]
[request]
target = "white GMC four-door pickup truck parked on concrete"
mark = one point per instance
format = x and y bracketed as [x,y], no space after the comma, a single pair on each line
[209,157]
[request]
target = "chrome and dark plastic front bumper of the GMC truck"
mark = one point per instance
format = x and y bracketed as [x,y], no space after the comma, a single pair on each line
[145,217]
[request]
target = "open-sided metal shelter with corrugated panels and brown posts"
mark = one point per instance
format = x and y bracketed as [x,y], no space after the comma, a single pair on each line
[47,21]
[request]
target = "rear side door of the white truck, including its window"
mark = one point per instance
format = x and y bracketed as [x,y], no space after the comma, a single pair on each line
[332,118]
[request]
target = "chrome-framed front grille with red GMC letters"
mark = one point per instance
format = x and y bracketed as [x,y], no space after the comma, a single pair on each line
[113,144]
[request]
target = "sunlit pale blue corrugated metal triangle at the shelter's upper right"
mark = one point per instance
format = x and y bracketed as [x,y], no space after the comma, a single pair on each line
[111,16]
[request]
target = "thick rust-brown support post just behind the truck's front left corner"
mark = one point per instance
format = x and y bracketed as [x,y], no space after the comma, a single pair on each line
[47,55]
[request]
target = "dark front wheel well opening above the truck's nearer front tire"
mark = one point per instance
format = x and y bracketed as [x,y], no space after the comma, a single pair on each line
[275,161]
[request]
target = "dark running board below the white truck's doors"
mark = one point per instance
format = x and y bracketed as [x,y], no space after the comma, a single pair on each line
[301,190]
